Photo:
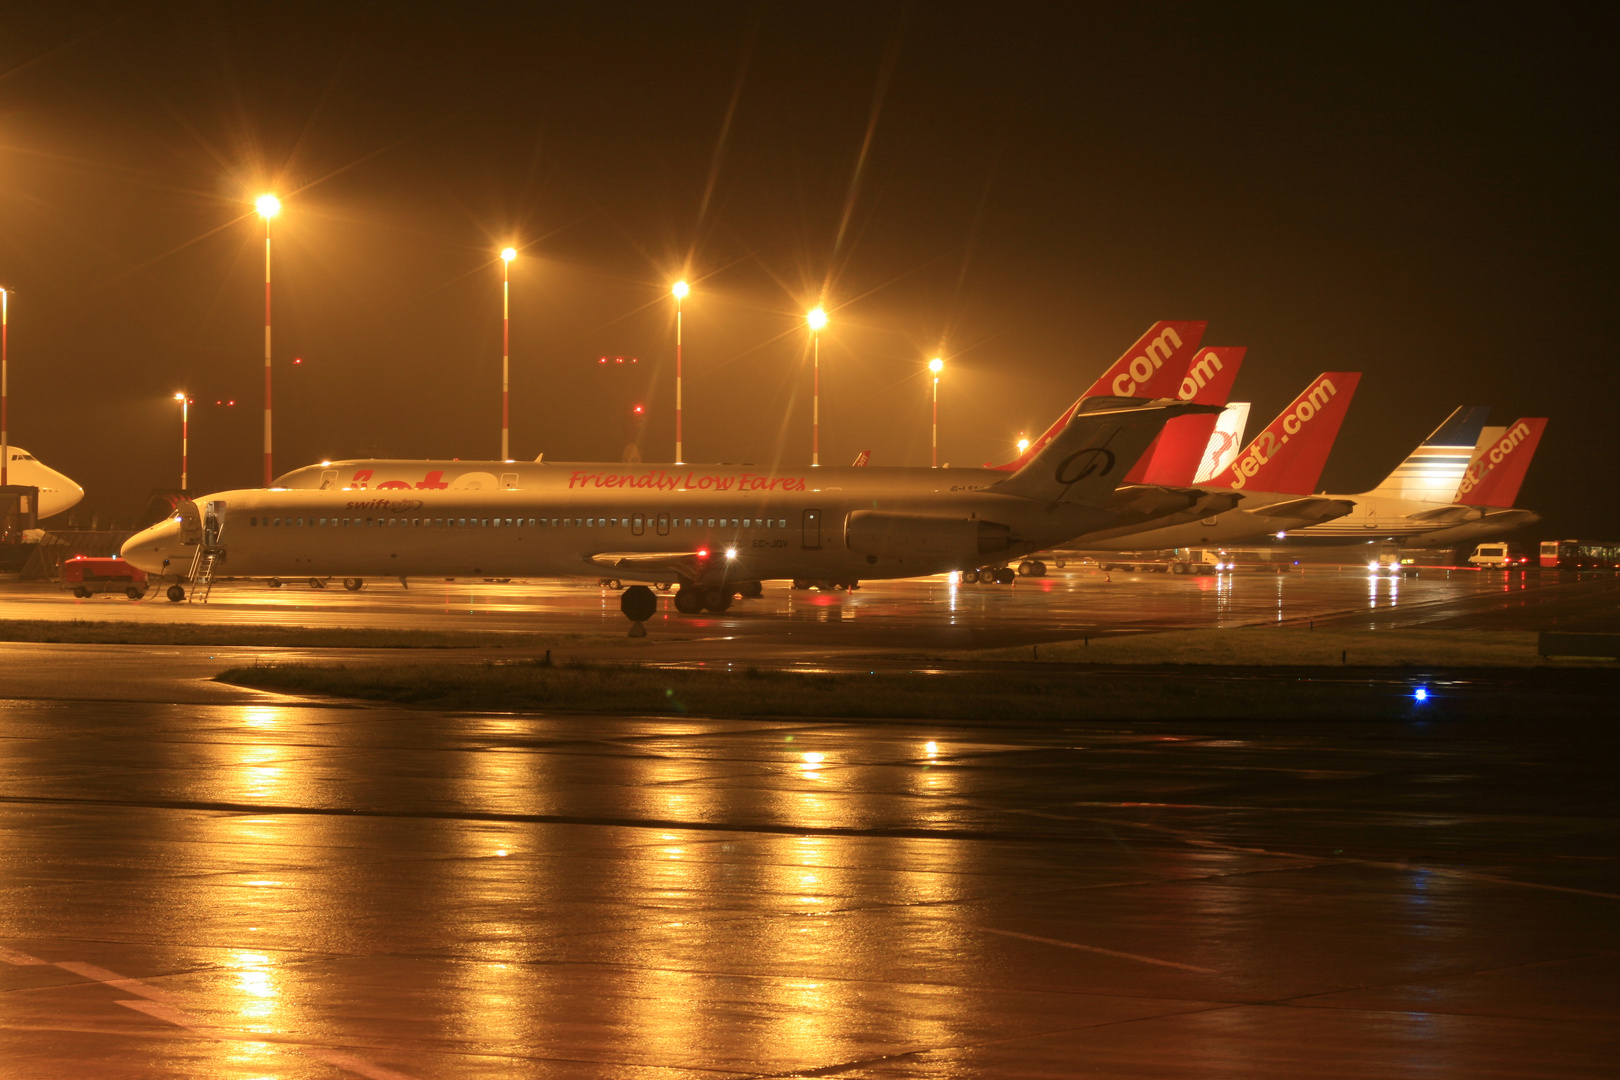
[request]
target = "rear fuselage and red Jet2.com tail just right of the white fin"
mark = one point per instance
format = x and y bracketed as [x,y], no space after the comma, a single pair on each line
[1266,488]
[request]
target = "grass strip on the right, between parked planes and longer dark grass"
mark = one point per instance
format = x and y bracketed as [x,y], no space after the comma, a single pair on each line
[1297,647]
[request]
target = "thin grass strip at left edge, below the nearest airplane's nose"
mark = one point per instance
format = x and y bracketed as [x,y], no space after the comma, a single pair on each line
[98,632]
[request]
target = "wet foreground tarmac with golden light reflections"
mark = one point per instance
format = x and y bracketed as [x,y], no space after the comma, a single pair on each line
[307,891]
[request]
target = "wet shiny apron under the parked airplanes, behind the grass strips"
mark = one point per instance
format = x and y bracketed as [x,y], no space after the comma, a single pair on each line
[905,616]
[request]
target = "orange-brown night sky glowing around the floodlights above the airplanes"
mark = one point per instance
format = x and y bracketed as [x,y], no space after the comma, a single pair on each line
[1425,193]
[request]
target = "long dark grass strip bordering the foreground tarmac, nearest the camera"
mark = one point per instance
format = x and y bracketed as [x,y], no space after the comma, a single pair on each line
[999,695]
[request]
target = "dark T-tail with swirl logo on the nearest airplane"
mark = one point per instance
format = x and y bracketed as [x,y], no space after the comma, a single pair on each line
[1086,461]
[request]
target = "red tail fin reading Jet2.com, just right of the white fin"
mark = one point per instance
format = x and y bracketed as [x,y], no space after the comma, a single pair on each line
[1290,454]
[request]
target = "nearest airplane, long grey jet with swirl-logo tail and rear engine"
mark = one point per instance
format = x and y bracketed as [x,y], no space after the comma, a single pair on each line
[717,530]
